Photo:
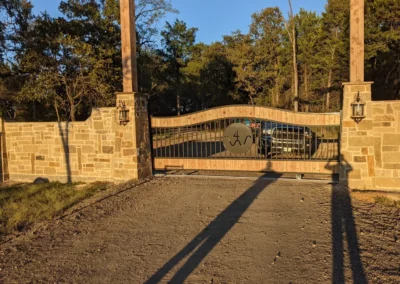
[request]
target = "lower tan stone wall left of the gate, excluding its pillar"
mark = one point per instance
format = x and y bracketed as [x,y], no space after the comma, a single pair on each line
[62,151]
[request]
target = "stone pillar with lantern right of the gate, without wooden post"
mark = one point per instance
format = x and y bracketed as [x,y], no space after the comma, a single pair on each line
[357,140]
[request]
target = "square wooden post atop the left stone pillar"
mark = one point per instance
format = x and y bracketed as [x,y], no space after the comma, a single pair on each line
[128,46]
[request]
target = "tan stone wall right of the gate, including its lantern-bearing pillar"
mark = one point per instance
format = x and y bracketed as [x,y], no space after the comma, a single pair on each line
[370,150]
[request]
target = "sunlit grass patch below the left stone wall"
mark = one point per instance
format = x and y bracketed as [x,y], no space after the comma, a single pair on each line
[21,205]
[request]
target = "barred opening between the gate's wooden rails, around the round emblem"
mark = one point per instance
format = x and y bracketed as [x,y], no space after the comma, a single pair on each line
[281,141]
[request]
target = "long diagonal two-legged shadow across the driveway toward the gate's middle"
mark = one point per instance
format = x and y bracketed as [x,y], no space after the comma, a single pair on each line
[205,241]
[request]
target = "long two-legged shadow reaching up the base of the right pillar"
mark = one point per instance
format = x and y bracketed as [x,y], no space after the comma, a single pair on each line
[344,230]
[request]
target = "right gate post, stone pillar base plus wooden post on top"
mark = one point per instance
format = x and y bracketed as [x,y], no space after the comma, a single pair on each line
[357,140]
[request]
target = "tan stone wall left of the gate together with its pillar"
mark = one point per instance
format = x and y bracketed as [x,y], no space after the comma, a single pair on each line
[98,149]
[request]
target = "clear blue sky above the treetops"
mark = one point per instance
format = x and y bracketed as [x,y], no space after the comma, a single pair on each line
[213,18]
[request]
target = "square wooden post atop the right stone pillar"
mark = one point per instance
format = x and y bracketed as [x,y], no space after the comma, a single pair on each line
[356,41]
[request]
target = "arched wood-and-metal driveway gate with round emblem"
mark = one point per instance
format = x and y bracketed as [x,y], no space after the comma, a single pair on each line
[248,138]
